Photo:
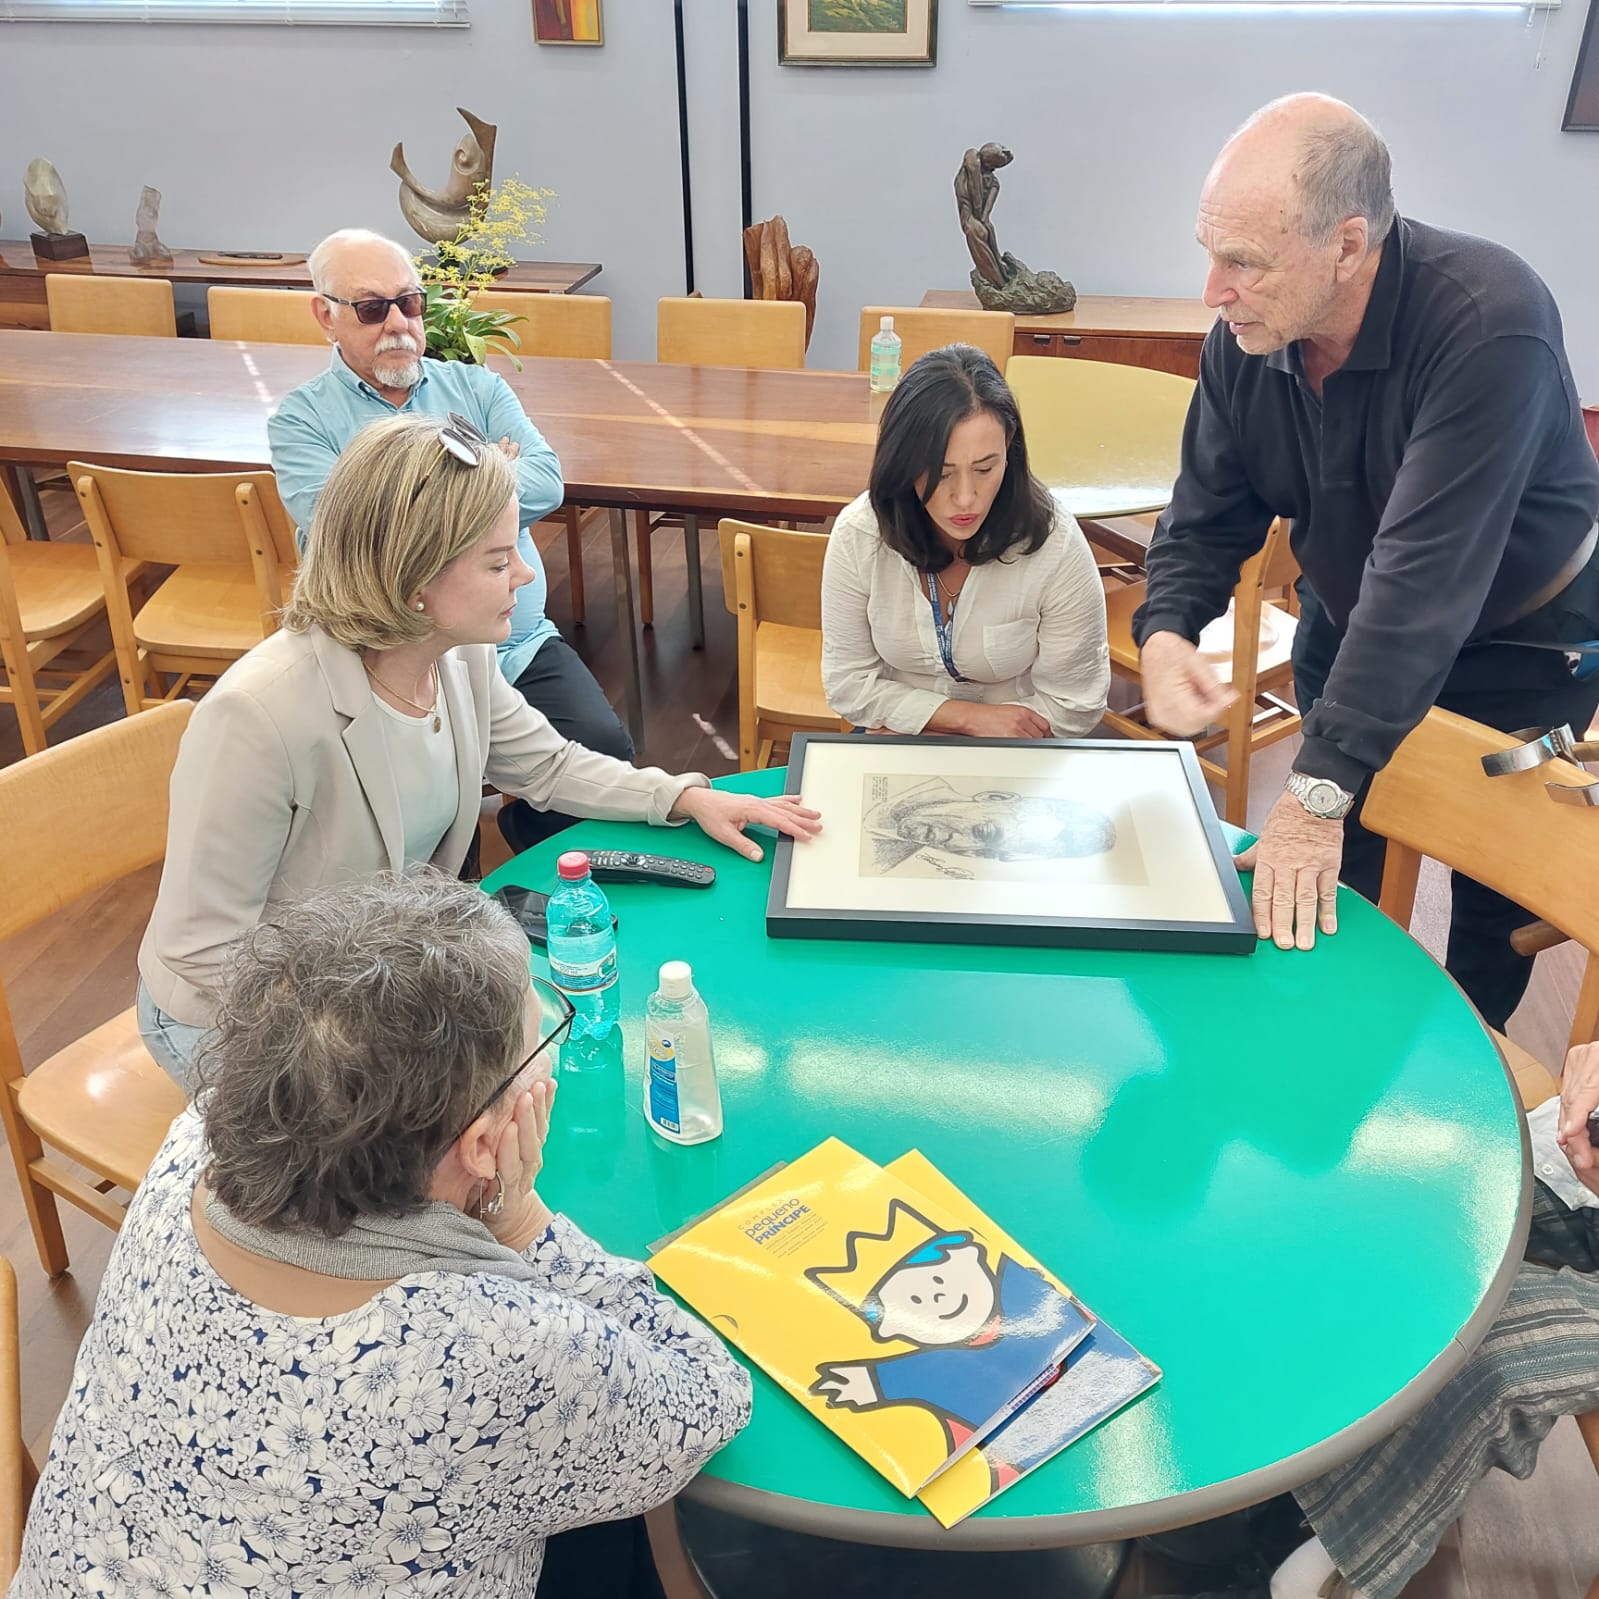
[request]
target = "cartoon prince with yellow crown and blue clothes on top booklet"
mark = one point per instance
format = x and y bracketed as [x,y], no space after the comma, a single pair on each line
[979,1333]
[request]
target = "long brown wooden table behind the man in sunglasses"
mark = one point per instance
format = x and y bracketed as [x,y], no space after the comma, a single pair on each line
[706,441]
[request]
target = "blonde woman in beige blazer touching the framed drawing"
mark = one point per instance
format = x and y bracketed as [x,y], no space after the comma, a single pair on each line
[357,738]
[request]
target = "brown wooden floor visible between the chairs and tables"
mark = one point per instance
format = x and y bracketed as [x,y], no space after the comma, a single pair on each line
[1536,1541]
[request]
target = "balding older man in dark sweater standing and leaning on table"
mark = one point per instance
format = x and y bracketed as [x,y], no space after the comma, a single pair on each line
[1403,396]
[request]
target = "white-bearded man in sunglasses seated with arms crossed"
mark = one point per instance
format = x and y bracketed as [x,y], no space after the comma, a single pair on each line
[370,305]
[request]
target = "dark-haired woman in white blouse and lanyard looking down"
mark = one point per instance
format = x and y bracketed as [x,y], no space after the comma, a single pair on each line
[957,596]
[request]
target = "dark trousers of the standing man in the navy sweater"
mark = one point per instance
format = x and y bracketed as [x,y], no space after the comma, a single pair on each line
[1504,687]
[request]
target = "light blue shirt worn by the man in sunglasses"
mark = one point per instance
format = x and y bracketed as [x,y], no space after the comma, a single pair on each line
[322,417]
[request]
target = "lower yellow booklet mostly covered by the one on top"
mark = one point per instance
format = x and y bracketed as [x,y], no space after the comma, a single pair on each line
[1101,1376]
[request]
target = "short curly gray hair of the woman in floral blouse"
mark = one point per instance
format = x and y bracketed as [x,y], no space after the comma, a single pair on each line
[357,1034]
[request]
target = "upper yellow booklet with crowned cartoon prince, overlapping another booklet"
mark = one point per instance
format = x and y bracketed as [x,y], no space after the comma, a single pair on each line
[903,1326]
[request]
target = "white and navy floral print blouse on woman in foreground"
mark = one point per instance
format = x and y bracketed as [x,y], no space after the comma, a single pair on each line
[426,1443]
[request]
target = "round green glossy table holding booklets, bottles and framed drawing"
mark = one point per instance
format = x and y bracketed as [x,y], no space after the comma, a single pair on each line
[1296,1181]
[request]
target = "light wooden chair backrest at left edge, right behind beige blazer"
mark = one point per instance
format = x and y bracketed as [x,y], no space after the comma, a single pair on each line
[86,813]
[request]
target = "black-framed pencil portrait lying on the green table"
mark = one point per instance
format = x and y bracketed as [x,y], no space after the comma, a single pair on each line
[1043,842]
